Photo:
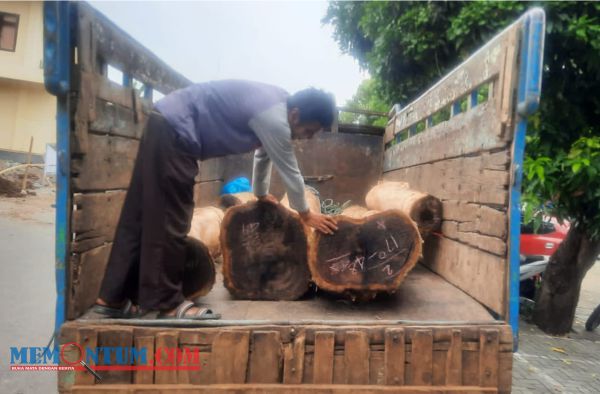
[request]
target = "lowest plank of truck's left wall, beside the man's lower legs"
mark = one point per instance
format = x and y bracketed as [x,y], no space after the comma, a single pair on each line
[86,273]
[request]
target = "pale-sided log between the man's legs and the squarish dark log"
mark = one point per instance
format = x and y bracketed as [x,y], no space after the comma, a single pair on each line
[206,227]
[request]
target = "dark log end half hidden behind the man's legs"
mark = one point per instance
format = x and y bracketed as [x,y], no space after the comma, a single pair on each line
[199,269]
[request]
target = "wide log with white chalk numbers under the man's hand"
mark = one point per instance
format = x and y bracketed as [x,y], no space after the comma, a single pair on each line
[367,255]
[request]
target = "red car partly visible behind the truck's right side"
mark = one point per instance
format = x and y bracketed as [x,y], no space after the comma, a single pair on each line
[550,234]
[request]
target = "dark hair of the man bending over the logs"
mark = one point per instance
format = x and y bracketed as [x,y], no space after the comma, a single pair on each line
[315,105]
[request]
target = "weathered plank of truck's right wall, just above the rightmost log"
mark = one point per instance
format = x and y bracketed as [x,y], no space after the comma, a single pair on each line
[464,179]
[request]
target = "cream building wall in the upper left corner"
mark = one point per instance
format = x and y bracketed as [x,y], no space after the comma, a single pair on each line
[26,109]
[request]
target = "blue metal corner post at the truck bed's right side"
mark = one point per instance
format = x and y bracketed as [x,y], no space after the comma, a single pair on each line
[530,82]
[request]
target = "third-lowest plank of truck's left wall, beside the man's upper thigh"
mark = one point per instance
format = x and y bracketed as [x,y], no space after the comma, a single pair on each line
[107,166]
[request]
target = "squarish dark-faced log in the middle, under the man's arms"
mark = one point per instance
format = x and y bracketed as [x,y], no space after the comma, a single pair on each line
[264,249]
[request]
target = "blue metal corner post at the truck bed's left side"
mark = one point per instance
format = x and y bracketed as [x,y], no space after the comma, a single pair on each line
[57,62]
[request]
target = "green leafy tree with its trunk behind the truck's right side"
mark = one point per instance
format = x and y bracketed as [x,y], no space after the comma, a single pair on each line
[406,46]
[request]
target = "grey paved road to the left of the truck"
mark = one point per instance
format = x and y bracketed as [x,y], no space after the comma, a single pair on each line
[28,290]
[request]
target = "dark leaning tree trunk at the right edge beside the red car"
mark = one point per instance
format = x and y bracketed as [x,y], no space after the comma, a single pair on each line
[555,306]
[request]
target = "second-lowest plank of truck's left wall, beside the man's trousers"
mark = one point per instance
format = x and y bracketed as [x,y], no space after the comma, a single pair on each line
[95,219]
